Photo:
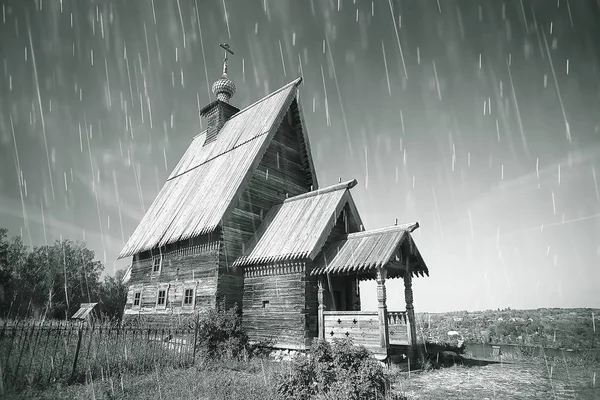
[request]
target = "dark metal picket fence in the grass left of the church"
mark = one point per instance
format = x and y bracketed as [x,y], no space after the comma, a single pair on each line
[40,354]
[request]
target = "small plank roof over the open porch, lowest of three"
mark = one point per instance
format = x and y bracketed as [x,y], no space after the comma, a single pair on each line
[363,252]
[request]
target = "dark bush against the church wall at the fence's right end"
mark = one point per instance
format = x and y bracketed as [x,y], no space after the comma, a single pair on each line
[220,333]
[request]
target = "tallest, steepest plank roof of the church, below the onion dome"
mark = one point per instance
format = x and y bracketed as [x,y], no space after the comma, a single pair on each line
[203,186]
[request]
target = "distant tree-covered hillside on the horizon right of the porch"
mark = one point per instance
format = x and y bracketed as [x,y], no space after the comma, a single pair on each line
[559,328]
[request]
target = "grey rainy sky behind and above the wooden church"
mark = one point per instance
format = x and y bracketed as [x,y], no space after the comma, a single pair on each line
[478,119]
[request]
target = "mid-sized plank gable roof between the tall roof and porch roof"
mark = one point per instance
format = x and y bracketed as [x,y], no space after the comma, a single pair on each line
[298,227]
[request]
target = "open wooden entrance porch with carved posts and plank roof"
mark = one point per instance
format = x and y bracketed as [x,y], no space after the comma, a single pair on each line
[383,254]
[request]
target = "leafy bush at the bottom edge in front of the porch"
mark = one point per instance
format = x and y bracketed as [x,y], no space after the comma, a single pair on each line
[336,371]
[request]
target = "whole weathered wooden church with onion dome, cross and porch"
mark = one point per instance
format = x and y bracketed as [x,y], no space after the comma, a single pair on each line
[242,219]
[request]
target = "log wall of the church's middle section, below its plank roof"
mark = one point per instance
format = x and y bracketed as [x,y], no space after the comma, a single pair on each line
[274,307]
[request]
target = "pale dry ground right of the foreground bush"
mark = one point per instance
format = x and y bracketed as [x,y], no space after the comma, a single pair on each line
[522,380]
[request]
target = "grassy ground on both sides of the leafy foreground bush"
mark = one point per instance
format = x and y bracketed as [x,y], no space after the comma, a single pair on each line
[531,378]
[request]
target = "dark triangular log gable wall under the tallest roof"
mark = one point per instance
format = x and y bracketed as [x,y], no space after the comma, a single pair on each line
[283,170]
